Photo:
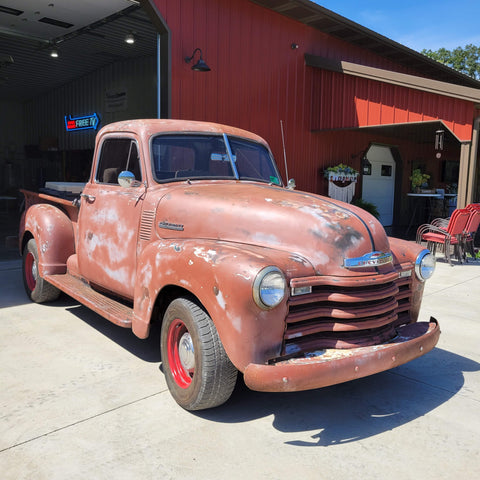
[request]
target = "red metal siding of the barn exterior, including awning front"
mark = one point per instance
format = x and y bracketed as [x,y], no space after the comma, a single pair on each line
[257,80]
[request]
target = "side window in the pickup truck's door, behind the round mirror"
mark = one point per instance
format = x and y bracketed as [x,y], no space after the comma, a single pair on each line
[116,155]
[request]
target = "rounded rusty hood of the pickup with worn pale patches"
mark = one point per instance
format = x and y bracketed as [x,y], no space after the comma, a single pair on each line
[321,230]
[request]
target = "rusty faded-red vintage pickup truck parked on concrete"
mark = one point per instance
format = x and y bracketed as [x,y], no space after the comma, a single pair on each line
[189,224]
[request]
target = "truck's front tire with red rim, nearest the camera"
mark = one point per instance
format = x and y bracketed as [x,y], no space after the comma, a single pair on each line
[198,372]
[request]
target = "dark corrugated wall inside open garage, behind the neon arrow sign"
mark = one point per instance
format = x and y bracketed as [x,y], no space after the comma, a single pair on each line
[87,95]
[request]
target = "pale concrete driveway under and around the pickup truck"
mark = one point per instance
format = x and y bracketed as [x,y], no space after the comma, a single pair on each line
[83,399]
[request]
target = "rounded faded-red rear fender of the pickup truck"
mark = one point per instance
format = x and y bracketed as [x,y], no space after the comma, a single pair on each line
[53,232]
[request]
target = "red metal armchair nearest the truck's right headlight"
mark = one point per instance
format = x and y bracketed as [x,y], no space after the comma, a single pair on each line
[448,236]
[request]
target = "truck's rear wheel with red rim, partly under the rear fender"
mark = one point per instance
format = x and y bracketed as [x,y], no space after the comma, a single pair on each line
[38,289]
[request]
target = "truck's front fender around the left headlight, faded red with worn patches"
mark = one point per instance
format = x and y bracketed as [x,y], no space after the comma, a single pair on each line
[221,277]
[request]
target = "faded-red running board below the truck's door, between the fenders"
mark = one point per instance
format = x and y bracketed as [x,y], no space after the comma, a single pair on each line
[110,309]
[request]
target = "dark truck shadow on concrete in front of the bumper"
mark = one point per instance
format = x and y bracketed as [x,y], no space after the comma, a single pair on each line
[355,410]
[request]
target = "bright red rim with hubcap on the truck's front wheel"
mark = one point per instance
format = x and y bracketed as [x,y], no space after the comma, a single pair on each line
[179,347]
